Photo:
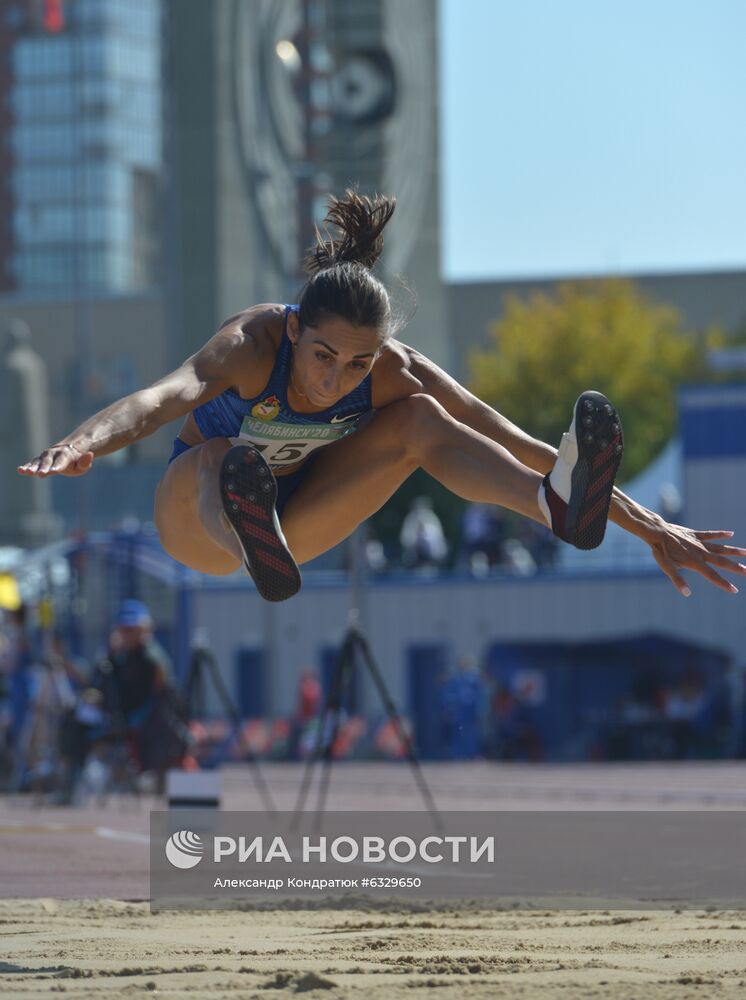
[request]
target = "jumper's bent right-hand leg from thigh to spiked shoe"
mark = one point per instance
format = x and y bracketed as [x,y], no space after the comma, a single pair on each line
[353,478]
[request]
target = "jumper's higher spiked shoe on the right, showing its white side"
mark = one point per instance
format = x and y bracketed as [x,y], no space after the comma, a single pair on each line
[577,492]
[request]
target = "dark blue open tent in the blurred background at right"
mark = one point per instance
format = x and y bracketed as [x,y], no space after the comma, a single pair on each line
[568,701]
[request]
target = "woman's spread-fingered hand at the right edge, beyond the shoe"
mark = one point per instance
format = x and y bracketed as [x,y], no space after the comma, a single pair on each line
[676,547]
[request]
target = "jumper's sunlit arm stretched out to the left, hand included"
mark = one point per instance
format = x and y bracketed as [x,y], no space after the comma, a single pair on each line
[198,379]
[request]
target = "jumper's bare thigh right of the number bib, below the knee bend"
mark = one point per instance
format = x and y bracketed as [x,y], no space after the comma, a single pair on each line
[349,481]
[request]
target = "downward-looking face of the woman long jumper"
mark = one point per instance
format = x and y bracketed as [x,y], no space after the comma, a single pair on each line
[330,359]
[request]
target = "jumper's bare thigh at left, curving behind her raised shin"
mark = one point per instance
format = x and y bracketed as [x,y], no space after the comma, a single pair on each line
[177,519]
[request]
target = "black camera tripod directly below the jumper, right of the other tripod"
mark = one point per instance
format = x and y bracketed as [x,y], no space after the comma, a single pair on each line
[355,644]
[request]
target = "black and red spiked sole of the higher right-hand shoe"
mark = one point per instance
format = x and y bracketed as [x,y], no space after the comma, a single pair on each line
[598,432]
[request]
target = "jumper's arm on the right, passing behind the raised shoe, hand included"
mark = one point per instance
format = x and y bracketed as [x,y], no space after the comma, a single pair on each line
[674,546]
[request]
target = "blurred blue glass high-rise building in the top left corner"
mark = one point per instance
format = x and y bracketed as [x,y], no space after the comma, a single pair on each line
[82,107]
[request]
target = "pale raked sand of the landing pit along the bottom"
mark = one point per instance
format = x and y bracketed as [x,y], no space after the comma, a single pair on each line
[107,949]
